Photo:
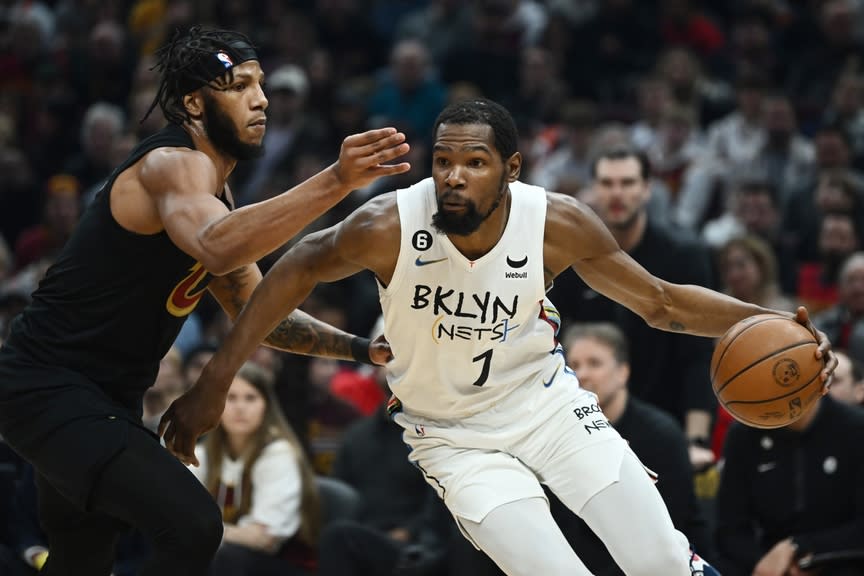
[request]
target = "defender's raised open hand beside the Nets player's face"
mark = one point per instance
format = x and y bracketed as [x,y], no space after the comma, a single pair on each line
[364,157]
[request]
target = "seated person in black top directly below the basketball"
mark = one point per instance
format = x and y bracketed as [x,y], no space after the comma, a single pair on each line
[791,492]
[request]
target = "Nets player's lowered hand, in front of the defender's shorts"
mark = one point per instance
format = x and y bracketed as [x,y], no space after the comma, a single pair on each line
[188,417]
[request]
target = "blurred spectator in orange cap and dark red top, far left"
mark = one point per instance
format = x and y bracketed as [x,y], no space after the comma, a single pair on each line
[60,213]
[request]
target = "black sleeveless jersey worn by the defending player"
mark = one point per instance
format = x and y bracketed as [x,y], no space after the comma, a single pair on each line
[112,304]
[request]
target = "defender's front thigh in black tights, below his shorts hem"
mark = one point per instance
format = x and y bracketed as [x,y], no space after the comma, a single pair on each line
[148,488]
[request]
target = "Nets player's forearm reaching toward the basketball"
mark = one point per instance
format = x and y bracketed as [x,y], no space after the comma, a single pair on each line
[701,312]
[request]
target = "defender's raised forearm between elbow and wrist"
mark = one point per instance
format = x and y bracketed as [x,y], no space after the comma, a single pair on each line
[247,234]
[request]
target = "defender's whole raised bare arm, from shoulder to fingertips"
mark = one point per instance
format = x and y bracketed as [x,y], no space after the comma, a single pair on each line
[182,185]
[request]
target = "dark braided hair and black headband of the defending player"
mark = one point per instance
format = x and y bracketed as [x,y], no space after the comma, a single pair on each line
[194,58]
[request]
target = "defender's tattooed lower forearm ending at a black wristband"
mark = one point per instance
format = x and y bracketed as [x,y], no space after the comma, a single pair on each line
[302,334]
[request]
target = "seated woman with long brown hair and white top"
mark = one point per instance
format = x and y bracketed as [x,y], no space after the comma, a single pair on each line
[256,470]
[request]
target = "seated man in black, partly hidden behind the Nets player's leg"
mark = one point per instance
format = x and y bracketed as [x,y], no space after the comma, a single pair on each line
[599,354]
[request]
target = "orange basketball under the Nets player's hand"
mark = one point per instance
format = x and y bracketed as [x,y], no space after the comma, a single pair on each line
[764,371]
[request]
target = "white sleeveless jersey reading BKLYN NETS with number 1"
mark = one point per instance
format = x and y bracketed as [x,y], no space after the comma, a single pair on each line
[465,333]
